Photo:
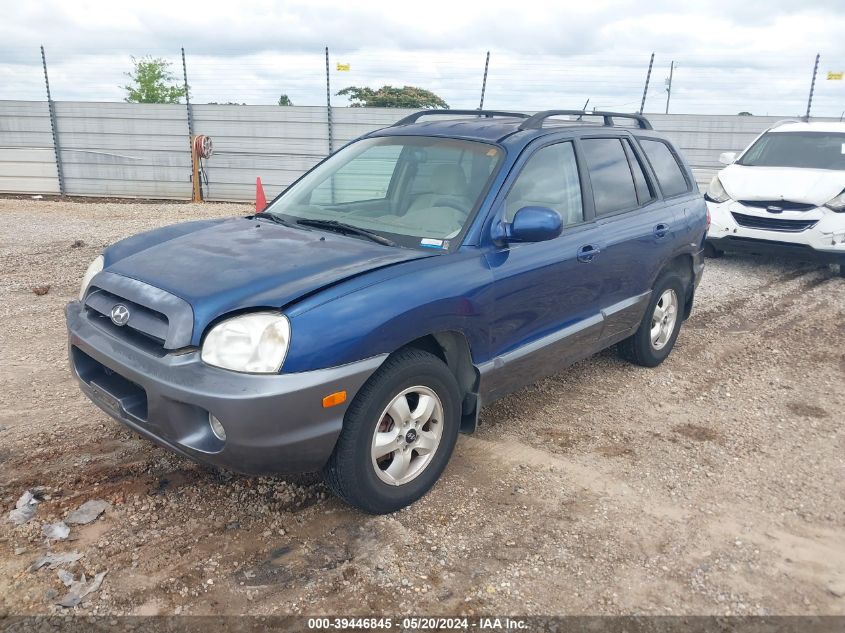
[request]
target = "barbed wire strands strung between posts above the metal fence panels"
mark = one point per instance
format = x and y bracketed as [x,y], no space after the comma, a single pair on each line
[699,84]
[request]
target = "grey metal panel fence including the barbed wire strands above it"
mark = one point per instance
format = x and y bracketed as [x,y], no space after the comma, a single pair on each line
[84,140]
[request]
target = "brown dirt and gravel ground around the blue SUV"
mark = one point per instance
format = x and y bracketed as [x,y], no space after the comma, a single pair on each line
[712,484]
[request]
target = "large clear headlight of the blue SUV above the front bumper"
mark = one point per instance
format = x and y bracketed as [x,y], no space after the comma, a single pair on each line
[255,343]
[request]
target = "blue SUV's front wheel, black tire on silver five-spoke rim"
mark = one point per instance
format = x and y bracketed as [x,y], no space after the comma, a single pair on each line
[408,375]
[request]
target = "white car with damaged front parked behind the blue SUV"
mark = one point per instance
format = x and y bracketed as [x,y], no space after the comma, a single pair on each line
[786,191]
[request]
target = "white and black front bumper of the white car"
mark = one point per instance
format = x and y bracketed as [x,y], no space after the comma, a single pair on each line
[824,241]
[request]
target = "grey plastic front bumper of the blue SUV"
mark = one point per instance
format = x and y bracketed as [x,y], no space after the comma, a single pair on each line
[274,423]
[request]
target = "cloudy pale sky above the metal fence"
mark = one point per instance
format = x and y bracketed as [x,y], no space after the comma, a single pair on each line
[755,55]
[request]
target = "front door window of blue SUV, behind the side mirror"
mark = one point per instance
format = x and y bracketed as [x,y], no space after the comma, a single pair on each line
[549,179]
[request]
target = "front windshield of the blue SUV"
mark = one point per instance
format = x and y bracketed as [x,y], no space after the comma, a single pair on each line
[416,191]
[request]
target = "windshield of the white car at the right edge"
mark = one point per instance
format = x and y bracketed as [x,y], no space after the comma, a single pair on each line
[812,150]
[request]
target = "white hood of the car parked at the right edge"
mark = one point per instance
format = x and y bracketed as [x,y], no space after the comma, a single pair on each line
[811,186]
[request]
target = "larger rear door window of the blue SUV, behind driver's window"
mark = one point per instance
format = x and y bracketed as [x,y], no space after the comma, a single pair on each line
[613,184]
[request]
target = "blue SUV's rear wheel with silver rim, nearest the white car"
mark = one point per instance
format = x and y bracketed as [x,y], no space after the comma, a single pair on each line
[640,348]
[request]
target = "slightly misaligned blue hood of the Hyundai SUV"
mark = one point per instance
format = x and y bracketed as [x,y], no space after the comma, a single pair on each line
[220,267]
